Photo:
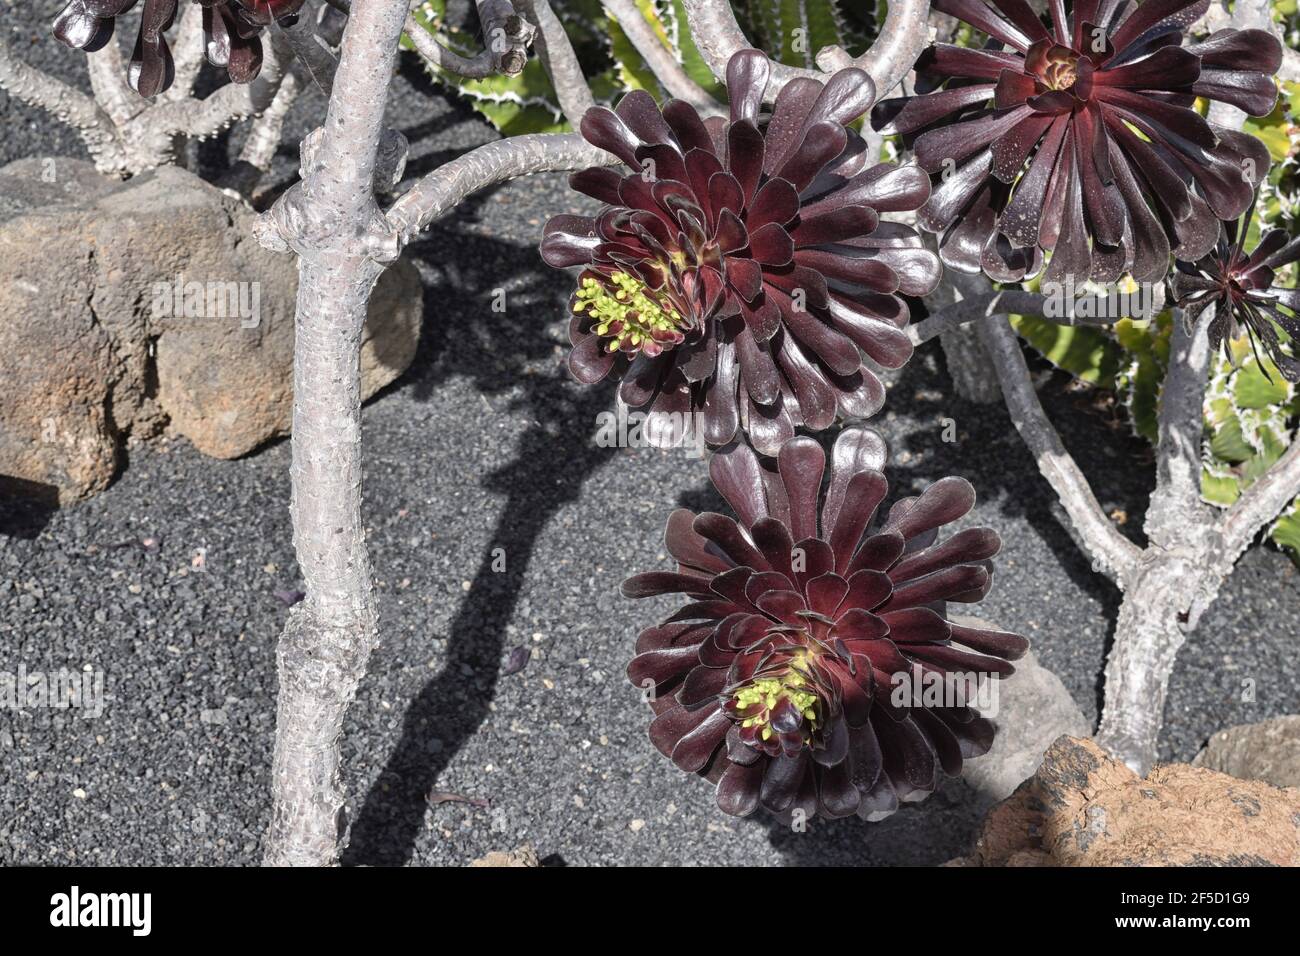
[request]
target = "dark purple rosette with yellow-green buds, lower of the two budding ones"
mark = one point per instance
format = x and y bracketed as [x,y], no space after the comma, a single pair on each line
[777,681]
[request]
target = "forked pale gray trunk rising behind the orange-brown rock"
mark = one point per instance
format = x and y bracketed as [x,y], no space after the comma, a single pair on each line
[1169,585]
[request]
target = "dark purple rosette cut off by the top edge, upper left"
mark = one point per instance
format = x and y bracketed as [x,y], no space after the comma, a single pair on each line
[231,36]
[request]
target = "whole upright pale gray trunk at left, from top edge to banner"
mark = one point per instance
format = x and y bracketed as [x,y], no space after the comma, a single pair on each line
[339,232]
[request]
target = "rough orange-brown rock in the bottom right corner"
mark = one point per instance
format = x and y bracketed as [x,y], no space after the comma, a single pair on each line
[1084,808]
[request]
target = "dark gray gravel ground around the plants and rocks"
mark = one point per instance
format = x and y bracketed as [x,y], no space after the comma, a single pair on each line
[487,445]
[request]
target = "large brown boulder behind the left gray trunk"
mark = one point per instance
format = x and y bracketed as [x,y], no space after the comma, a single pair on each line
[93,347]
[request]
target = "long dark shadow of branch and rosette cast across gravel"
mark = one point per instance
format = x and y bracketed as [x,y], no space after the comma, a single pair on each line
[495,353]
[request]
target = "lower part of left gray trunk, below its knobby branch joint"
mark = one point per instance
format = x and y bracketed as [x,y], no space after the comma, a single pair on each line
[328,639]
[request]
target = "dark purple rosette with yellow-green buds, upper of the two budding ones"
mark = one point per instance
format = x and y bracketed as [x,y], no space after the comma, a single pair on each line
[740,266]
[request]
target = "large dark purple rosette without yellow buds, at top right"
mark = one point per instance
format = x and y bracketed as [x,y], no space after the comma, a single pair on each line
[1078,137]
